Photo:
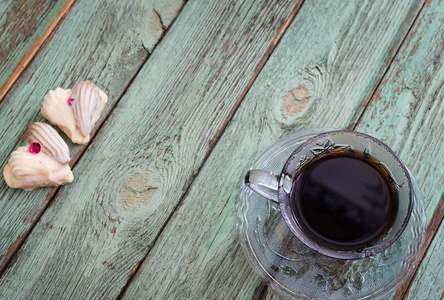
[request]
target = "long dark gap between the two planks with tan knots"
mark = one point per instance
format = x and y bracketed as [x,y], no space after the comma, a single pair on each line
[213,142]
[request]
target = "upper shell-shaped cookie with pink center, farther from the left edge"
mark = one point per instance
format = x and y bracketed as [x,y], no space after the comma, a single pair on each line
[75,111]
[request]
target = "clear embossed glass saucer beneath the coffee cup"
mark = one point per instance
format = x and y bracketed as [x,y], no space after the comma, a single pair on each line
[294,270]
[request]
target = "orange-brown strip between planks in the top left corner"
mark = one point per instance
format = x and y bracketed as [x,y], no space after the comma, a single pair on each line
[34,48]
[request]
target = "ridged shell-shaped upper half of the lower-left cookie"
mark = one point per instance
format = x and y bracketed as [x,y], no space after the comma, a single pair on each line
[49,140]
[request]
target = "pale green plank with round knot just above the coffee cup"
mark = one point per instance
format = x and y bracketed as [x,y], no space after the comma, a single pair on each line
[336,62]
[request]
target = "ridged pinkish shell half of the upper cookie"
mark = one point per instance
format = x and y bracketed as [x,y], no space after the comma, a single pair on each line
[86,100]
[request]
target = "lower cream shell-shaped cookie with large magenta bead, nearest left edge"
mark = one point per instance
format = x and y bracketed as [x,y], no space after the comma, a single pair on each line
[42,162]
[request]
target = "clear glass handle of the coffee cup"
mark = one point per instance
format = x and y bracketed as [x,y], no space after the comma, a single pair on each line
[264,183]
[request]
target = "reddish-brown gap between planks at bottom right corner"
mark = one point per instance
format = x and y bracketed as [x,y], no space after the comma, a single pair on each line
[431,230]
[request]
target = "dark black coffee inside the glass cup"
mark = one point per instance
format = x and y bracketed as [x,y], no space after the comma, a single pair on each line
[344,200]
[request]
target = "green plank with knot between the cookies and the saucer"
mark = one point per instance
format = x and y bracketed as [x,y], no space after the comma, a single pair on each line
[131,178]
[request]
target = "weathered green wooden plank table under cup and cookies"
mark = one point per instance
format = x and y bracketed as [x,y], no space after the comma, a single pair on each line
[196,91]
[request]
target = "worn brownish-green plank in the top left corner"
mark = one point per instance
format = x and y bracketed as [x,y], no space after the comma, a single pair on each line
[21,24]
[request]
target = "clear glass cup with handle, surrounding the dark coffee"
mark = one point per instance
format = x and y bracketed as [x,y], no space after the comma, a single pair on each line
[340,143]
